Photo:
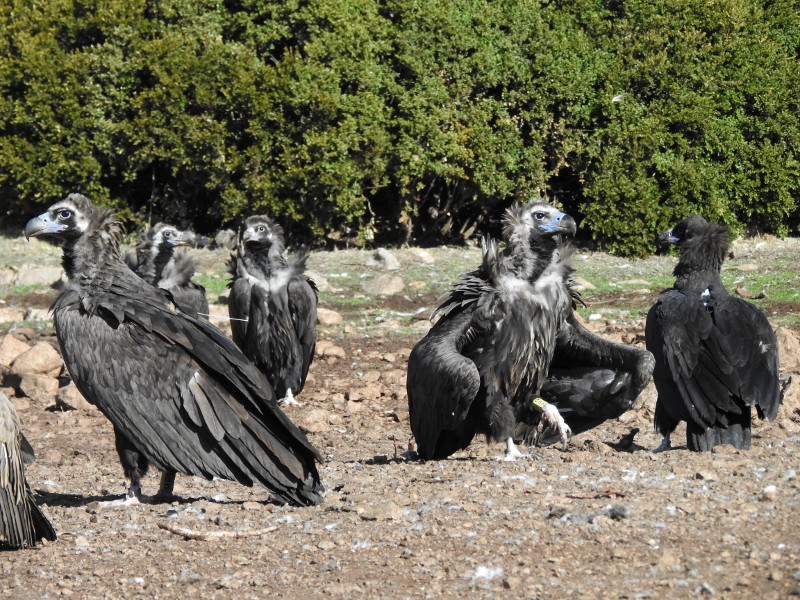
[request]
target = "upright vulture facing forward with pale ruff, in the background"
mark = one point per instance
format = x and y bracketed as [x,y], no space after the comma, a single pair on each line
[273,306]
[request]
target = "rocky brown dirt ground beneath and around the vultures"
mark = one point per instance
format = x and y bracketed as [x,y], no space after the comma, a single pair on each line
[594,521]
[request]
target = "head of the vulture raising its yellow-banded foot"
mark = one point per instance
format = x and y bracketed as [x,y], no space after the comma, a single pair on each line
[539,223]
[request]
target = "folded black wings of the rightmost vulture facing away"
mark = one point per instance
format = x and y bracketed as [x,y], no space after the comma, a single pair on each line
[707,357]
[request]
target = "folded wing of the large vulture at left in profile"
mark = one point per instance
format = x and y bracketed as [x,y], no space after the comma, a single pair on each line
[183,393]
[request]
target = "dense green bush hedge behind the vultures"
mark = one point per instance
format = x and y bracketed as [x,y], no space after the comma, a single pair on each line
[395,119]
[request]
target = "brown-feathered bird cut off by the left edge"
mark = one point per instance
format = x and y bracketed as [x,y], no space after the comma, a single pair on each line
[22,522]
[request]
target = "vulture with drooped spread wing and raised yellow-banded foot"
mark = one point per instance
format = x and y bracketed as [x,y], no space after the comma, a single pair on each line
[508,356]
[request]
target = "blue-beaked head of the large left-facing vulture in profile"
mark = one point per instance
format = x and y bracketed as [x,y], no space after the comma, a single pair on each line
[69,219]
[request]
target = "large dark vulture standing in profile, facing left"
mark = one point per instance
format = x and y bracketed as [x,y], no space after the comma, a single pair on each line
[180,394]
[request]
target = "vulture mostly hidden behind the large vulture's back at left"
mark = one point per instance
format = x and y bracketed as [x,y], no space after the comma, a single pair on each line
[154,259]
